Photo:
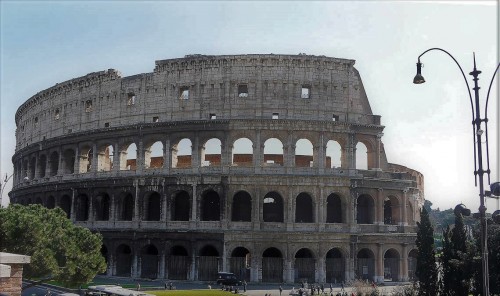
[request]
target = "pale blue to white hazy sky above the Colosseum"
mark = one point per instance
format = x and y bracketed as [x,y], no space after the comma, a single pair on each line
[427,127]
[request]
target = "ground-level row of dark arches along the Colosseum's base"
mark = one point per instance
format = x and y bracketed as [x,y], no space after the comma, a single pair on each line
[260,257]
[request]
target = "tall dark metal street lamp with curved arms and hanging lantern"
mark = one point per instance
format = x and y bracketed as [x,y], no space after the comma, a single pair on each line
[477,133]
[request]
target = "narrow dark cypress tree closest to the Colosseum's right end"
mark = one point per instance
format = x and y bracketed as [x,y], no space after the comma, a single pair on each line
[426,270]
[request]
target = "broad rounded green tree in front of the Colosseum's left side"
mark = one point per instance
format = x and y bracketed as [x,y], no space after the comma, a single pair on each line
[59,250]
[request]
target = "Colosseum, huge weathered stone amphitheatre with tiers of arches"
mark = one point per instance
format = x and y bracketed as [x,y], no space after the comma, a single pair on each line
[269,166]
